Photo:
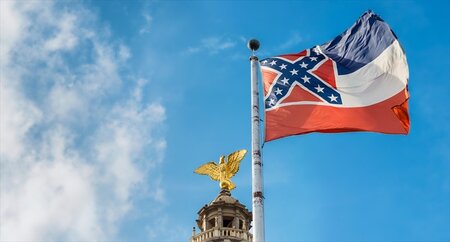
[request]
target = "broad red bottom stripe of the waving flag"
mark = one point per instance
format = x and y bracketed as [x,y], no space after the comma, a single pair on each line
[300,119]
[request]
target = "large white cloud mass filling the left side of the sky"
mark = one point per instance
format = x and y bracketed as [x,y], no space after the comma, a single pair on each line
[73,149]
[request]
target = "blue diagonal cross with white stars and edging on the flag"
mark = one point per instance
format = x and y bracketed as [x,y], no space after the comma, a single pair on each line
[299,72]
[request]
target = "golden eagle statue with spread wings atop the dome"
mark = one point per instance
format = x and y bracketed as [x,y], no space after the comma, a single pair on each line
[222,172]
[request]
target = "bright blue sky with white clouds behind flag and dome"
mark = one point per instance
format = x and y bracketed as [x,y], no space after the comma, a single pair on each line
[107,107]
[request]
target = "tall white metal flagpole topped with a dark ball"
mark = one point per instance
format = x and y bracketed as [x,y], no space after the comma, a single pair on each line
[257,178]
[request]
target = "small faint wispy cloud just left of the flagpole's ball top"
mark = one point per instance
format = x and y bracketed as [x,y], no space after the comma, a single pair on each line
[212,45]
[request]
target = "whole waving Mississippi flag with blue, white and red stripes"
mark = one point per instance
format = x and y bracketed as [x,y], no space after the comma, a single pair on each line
[356,82]
